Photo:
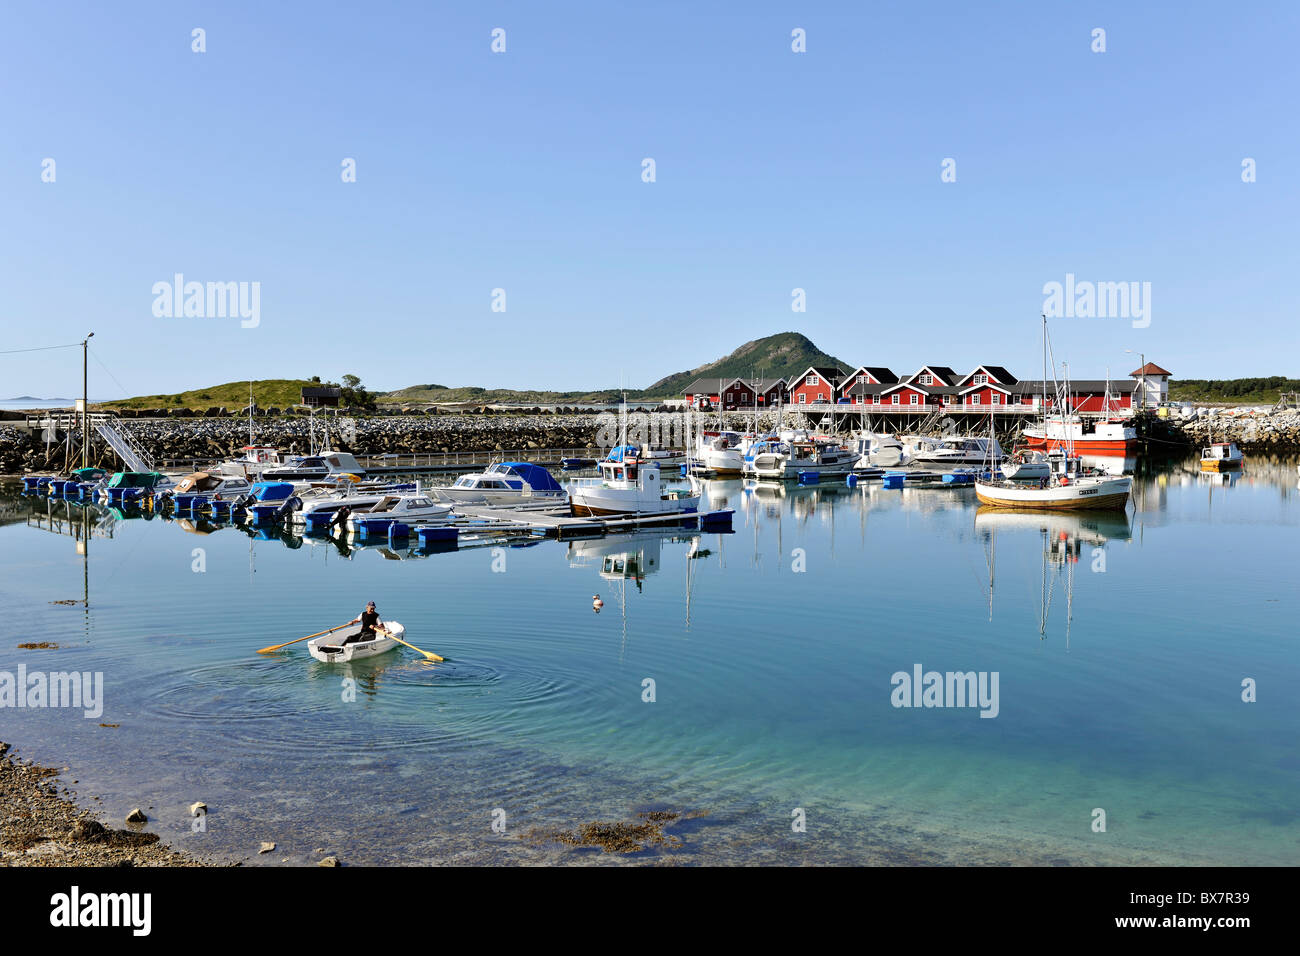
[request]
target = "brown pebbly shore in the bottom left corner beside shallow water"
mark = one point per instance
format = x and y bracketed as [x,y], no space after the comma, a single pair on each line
[41,827]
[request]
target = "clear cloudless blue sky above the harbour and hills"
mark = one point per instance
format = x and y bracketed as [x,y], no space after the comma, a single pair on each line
[522,171]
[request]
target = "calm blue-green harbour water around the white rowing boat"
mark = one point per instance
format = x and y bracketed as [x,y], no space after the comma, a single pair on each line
[1120,643]
